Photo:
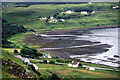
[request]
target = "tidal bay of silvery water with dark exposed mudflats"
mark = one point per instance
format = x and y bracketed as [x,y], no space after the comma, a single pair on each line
[96,46]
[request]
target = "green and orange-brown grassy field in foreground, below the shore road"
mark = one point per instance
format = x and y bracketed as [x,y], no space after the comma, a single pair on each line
[65,71]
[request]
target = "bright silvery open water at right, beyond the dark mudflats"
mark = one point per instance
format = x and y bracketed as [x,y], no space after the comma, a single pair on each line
[105,36]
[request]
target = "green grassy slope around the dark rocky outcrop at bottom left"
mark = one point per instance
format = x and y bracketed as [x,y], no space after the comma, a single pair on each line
[5,72]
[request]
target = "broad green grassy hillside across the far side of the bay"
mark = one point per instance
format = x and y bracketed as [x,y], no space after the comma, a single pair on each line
[28,16]
